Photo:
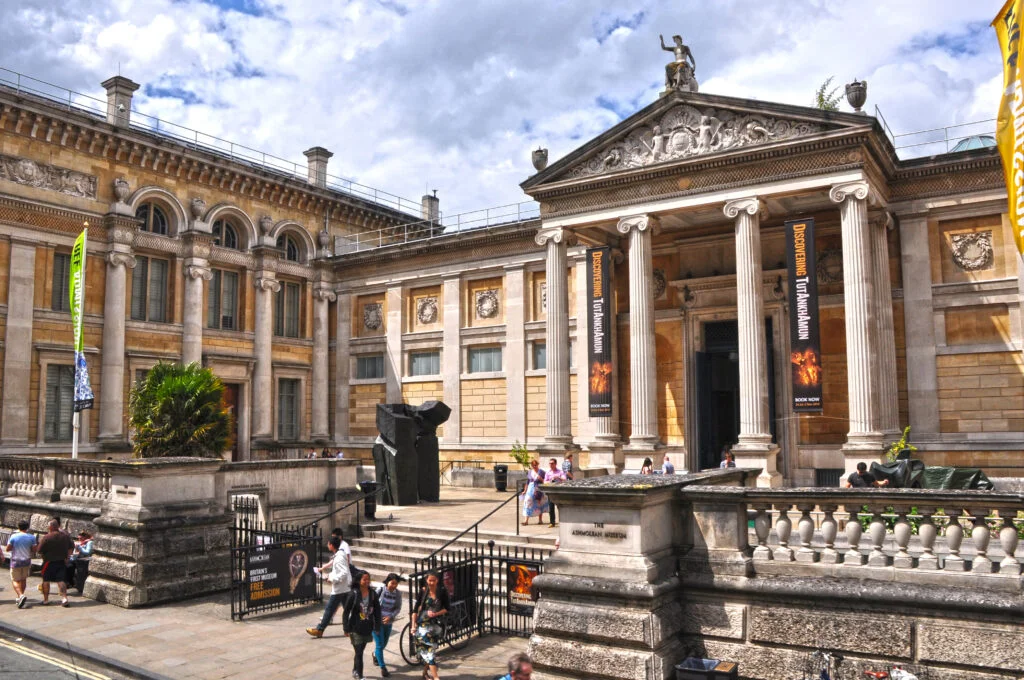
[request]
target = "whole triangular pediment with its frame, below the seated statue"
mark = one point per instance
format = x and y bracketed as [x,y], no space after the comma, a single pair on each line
[685,126]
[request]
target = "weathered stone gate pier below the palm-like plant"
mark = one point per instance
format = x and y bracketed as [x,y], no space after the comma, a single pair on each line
[163,535]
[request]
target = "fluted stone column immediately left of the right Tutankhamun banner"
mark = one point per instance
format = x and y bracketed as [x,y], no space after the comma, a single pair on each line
[754,448]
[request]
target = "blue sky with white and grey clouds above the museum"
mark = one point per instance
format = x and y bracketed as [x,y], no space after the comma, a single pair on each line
[453,95]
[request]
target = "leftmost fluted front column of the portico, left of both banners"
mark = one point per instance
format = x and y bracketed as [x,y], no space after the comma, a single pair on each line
[559,437]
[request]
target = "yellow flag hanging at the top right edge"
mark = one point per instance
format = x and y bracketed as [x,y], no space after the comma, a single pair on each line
[1010,126]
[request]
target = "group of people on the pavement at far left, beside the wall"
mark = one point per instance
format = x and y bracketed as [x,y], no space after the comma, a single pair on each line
[63,559]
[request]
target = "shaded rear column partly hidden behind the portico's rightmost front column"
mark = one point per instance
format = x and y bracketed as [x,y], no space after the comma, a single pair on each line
[887,396]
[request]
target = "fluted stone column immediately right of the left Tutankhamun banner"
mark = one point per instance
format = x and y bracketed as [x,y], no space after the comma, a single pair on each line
[644,363]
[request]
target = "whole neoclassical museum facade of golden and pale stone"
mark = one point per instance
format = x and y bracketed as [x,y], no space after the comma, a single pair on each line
[196,256]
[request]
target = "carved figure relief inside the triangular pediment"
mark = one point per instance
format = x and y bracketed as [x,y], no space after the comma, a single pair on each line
[687,132]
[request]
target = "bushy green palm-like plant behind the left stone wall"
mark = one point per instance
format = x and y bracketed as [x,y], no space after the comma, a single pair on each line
[179,411]
